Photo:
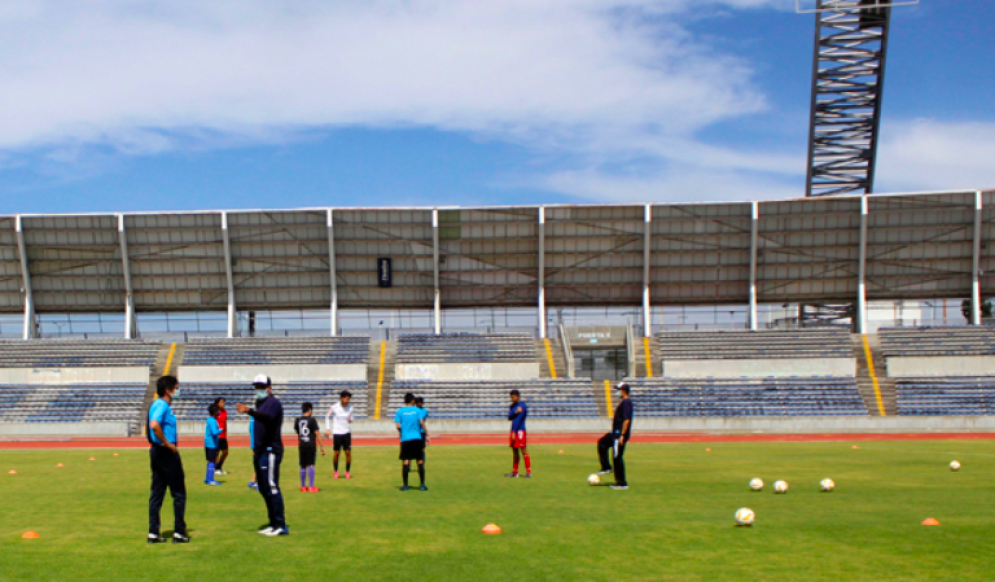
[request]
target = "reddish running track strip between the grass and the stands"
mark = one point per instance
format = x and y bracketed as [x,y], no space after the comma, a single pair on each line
[502,439]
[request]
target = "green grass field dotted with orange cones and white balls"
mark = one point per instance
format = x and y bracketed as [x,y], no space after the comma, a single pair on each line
[675,522]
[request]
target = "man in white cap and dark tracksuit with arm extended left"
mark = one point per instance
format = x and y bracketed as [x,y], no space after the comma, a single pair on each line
[267,453]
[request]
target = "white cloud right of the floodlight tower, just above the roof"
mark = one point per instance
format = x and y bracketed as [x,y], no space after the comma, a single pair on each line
[926,154]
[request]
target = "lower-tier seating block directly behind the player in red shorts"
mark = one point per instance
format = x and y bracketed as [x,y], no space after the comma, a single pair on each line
[488,399]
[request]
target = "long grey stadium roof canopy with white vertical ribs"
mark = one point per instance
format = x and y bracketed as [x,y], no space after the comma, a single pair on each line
[894,246]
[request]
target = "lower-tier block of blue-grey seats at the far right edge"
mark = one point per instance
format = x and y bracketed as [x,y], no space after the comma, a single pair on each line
[946,396]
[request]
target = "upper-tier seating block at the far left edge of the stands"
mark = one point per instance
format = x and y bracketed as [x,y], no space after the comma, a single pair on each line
[59,353]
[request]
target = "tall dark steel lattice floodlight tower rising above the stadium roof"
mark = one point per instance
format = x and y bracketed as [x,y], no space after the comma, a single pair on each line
[851,42]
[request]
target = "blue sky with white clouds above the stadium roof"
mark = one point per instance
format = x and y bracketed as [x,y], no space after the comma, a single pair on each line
[124,106]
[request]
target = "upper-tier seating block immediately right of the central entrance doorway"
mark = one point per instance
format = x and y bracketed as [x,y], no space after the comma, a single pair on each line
[710,345]
